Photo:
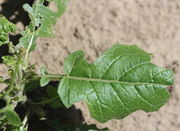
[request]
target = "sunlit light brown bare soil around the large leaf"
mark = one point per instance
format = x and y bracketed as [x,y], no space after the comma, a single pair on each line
[95,25]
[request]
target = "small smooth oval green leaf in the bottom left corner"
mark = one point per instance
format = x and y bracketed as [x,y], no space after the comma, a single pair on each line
[13,118]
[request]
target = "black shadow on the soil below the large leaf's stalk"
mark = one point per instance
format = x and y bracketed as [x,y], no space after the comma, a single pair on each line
[44,116]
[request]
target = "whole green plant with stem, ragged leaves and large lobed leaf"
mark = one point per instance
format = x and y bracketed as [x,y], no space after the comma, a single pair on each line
[121,81]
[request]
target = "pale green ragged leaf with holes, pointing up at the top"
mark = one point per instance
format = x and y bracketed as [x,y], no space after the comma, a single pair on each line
[42,21]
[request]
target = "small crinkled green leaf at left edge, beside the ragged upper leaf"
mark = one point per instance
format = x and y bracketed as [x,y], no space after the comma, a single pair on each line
[6,27]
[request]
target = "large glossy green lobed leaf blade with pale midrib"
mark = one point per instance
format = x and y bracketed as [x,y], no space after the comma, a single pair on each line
[119,82]
